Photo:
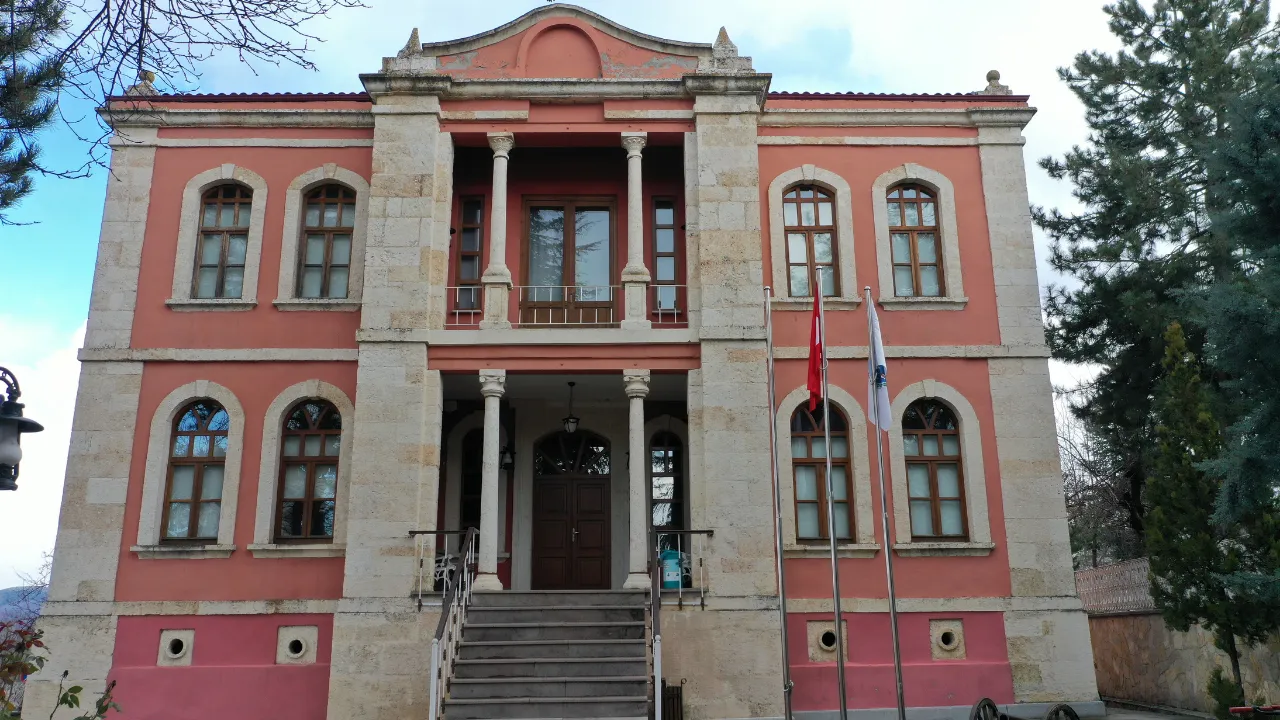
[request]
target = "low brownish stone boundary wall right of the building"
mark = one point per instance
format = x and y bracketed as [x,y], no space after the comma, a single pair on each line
[1141,659]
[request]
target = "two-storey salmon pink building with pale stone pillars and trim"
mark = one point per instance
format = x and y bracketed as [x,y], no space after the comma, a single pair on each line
[522,285]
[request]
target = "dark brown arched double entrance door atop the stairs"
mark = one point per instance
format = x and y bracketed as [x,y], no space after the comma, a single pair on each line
[572,512]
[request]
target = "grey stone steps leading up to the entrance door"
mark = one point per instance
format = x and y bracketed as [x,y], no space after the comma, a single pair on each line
[552,654]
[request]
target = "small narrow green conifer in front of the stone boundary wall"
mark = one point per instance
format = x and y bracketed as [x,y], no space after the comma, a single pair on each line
[1192,558]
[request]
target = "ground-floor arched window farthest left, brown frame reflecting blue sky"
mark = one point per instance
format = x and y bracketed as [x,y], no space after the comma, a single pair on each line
[194,490]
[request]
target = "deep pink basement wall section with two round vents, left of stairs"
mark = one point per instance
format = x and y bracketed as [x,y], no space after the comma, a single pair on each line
[232,672]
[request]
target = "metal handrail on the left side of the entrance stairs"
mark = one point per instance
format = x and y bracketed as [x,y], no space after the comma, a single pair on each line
[459,577]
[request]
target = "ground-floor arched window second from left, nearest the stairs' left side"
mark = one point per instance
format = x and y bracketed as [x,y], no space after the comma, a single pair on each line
[309,472]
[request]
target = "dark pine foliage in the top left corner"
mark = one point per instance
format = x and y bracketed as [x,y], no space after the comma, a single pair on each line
[30,78]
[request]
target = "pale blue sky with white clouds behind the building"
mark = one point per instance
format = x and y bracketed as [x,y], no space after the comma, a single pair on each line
[817,45]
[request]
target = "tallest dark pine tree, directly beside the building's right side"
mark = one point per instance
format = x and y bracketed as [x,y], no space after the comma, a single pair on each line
[1145,235]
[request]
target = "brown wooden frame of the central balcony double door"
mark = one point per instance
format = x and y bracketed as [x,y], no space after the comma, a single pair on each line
[570,204]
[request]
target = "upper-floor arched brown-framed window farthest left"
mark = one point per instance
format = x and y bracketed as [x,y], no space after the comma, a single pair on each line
[223,243]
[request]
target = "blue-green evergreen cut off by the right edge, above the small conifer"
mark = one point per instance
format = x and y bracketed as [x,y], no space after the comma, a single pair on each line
[1244,317]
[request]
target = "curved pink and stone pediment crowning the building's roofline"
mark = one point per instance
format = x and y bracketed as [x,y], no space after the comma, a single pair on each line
[565,43]
